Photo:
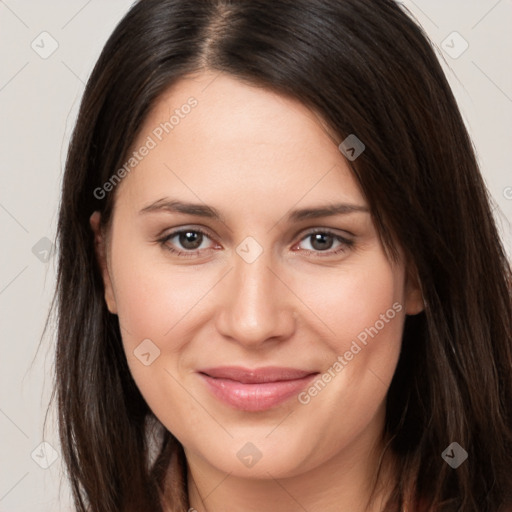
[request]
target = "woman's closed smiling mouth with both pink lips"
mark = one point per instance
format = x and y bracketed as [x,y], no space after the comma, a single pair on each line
[255,390]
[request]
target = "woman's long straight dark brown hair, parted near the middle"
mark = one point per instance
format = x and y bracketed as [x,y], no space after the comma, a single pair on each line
[369,70]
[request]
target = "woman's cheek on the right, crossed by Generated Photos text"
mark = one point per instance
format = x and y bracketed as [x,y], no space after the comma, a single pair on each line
[362,313]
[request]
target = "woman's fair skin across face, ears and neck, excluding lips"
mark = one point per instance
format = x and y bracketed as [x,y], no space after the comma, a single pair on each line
[254,156]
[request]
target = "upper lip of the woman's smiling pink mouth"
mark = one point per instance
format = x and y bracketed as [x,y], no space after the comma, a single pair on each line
[256,375]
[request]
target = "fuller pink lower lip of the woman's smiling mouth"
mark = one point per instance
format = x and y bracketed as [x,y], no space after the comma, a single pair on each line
[255,397]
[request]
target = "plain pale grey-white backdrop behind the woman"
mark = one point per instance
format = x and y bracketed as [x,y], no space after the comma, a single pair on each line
[48,49]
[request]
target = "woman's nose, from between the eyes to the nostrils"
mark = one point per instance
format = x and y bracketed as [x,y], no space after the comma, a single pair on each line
[255,306]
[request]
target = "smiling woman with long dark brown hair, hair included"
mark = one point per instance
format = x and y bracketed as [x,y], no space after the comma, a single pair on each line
[280,283]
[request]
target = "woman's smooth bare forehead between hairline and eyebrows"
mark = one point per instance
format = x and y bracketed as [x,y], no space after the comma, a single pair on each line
[215,138]
